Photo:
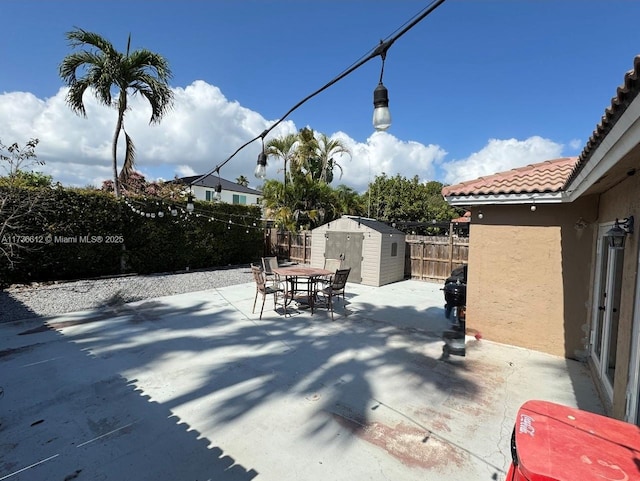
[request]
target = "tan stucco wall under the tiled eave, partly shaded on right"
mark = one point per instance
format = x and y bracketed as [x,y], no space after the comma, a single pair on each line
[528,281]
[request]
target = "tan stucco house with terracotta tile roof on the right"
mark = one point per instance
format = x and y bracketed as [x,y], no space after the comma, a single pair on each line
[541,272]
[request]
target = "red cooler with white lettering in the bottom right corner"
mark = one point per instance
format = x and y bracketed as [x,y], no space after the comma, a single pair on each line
[552,442]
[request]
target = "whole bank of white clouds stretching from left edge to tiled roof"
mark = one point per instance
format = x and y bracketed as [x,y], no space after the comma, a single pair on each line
[204,128]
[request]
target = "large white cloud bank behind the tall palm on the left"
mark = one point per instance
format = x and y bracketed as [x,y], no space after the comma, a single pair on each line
[199,133]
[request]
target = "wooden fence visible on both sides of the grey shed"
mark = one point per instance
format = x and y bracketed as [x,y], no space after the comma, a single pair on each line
[427,258]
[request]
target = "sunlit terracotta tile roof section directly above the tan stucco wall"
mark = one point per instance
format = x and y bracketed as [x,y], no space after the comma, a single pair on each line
[547,176]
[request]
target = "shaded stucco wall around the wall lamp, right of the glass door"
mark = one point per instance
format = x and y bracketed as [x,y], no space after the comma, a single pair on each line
[619,202]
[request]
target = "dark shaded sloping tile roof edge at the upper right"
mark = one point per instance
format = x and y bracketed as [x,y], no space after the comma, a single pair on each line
[625,94]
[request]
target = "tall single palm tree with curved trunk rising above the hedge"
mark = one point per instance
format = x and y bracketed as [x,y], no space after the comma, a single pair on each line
[110,73]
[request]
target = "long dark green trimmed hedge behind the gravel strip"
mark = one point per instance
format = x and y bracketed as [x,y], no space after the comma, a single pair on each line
[60,234]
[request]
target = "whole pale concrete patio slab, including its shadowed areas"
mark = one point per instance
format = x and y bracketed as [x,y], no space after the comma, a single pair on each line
[195,386]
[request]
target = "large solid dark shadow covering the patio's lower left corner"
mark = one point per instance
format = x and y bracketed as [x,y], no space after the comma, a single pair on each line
[66,415]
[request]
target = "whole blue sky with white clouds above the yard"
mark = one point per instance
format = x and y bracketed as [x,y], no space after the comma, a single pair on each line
[479,86]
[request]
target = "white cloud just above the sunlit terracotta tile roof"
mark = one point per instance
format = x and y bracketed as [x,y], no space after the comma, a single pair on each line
[501,155]
